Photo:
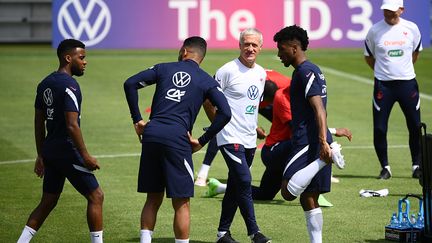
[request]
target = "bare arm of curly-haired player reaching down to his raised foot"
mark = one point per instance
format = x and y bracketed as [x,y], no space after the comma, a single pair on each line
[321,119]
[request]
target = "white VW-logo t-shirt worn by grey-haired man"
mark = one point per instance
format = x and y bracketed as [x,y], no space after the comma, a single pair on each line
[243,87]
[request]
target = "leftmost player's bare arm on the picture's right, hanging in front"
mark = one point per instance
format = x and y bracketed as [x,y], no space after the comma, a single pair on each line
[76,135]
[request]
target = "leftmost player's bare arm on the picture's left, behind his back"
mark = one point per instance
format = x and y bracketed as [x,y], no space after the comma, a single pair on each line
[39,126]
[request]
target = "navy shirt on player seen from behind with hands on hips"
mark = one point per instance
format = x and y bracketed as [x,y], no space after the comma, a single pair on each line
[181,88]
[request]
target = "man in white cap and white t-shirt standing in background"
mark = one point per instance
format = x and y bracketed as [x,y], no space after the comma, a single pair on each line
[392,47]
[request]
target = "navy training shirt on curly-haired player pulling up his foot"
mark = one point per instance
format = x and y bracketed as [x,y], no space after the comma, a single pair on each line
[307,81]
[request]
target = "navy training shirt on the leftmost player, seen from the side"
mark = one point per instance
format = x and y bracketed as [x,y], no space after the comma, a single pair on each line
[56,94]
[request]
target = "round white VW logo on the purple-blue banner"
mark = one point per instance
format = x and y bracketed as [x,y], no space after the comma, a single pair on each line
[86,20]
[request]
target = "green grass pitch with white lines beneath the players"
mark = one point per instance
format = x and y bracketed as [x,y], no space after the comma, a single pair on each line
[108,133]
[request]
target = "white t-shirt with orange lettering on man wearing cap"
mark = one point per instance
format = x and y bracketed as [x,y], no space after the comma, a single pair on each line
[393,46]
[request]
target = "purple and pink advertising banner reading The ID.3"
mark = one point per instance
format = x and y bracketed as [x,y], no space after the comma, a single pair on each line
[166,23]
